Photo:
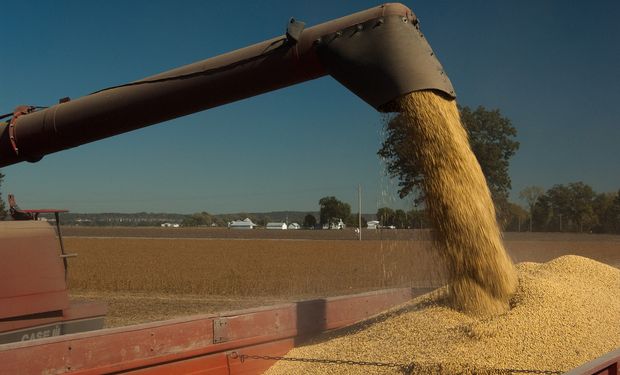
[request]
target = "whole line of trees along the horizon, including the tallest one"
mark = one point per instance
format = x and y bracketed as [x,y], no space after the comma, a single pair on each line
[574,207]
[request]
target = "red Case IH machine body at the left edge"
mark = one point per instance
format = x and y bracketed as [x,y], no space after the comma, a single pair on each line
[34,302]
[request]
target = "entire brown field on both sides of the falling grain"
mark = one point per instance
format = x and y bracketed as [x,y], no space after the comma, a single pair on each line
[147,274]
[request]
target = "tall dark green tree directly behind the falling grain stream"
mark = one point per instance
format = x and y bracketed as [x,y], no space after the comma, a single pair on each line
[491,137]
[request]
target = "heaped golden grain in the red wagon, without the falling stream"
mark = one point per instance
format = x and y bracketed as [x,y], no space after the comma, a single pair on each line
[564,313]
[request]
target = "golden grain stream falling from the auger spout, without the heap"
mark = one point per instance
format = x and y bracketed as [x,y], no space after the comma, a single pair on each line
[481,277]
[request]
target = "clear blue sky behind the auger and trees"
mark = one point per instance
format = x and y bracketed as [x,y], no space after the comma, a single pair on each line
[552,67]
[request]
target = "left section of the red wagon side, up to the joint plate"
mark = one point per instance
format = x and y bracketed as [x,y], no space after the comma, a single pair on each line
[107,350]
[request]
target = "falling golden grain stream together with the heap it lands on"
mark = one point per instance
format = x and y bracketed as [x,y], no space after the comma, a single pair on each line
[491,317]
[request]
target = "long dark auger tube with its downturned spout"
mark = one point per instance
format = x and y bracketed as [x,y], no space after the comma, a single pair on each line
[379,54]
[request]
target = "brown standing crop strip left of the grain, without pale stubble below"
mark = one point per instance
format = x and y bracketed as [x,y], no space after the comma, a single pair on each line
[244,268]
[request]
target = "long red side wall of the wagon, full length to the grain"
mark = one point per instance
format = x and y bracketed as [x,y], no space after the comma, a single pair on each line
[269,330]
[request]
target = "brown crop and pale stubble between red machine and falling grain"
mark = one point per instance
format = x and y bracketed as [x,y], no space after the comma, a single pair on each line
[152,279]
